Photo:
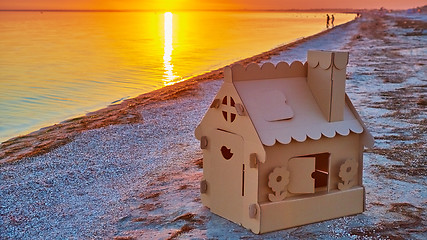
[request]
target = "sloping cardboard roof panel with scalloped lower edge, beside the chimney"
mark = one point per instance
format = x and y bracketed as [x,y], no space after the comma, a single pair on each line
[283,109]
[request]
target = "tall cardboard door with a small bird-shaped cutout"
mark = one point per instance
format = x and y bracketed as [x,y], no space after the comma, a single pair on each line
[226,181]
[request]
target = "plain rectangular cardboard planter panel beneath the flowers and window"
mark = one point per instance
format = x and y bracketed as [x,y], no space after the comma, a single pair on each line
[296,212]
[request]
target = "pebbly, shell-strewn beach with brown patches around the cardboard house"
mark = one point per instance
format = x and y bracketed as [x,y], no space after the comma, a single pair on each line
[132,170]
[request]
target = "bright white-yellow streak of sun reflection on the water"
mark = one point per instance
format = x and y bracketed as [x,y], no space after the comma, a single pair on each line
[169,76]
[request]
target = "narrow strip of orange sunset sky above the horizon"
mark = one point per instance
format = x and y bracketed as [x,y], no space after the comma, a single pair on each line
[205,4]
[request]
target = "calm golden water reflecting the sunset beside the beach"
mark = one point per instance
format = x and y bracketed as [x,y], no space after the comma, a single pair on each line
[56,65]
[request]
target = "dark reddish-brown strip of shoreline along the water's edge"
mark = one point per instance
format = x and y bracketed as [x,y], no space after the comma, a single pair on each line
[126,112]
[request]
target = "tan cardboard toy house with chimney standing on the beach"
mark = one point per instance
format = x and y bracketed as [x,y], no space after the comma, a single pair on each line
[283,145]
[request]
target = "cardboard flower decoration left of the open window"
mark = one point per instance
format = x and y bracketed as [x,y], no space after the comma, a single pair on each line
[278,181]
